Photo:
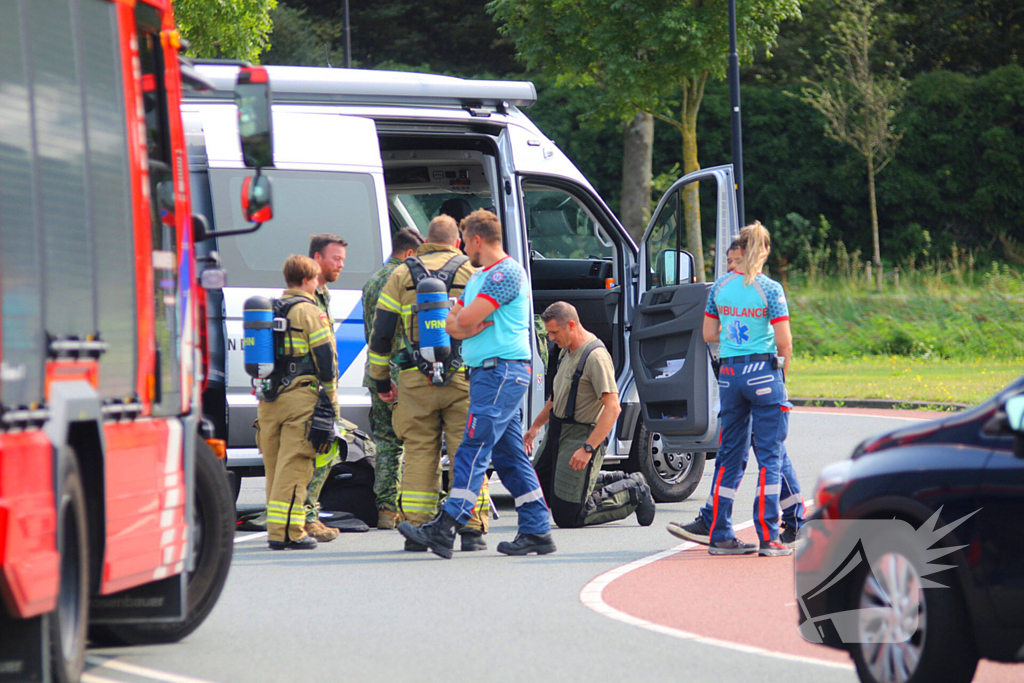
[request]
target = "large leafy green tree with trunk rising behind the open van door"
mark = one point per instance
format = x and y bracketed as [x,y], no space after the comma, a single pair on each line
[643,56]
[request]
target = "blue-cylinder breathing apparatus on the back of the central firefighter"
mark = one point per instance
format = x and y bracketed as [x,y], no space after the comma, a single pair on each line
[435,353]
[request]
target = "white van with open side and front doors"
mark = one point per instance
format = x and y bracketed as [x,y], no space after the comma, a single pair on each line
[366,153]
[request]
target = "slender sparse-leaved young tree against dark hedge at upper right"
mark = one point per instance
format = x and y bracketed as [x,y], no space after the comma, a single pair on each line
[860,99]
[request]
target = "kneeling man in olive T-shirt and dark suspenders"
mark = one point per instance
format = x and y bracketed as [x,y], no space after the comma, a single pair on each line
[581,411]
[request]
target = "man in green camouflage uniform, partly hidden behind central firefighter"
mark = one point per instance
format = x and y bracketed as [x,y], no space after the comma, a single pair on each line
[404,245]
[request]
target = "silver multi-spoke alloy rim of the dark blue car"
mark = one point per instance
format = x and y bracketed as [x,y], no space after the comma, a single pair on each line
[892,619]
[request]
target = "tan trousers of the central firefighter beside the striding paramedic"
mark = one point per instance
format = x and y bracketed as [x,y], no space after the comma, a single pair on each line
[422,415]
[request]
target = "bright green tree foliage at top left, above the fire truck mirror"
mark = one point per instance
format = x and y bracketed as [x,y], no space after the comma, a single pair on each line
[231,29]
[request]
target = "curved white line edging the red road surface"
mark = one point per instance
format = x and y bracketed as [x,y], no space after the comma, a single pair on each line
[591,595]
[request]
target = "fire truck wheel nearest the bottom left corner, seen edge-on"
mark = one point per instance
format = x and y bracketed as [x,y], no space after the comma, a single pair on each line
[69,623]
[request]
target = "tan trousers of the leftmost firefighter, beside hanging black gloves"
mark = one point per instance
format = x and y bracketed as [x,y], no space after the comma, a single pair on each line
[288,459]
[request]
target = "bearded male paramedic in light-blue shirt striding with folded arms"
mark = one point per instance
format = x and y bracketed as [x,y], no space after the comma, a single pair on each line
[493,320]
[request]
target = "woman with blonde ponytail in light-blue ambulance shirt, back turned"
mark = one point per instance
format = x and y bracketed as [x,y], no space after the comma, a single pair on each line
[748,315]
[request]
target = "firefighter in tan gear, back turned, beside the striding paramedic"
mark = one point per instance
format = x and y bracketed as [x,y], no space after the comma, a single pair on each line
[429,406]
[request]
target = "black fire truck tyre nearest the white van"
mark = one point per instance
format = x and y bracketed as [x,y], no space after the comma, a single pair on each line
[212,534]
